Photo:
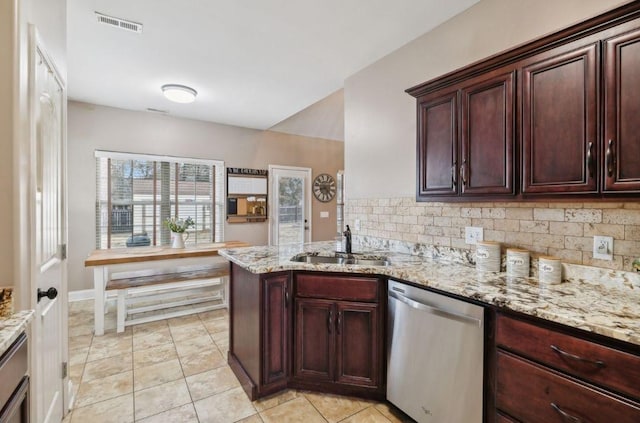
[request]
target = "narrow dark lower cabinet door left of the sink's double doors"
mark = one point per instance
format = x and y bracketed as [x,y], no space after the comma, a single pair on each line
[276,328]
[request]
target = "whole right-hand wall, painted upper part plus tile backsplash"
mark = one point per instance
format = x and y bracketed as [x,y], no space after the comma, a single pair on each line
[380,143]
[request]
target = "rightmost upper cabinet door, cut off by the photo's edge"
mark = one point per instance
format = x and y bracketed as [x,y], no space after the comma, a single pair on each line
[621,147]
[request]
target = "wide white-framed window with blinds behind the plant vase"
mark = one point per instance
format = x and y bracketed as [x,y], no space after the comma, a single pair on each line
[136,193]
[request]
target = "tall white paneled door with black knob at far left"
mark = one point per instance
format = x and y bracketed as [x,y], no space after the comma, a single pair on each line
[48,131]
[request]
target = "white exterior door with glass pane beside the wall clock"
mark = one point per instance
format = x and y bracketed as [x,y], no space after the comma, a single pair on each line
[289,205]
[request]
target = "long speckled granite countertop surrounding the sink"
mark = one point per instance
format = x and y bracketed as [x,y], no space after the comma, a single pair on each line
[591,299]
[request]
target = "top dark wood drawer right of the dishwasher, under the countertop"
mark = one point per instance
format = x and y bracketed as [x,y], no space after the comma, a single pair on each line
[593,362]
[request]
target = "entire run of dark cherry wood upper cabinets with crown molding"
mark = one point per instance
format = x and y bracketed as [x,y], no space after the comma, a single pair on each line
[554,118]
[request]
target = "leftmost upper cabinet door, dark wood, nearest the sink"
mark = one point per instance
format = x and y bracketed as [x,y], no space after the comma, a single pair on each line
[436,152]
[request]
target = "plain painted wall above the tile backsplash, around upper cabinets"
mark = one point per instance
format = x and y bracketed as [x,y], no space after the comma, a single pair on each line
[380,118]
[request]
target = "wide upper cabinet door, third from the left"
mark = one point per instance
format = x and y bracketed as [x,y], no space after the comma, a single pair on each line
[559,122]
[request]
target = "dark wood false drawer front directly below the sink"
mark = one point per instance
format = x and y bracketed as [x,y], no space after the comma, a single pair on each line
[337,287]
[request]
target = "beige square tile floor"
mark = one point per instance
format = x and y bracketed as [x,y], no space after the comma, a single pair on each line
[176,371]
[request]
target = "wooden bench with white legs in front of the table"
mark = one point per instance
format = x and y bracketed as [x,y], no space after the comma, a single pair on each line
[166,289]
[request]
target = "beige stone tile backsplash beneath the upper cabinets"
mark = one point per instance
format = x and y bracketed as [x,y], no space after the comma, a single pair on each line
[559,229]
